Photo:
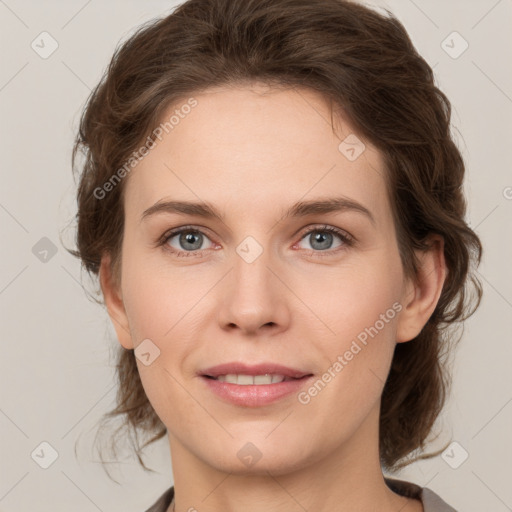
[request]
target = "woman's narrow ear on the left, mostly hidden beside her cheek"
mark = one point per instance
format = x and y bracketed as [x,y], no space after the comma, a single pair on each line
[114,302]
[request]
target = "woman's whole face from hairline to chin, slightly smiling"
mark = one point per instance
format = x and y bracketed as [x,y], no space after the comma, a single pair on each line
[274,280]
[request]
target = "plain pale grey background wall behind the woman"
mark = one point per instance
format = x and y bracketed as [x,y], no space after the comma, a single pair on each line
[56,372]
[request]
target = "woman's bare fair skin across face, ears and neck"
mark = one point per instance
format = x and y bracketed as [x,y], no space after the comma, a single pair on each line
[252,152]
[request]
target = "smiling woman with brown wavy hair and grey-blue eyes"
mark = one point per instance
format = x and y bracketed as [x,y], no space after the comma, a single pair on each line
[272,202]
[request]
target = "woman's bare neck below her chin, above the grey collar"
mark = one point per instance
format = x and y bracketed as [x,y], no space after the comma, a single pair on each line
[346,479]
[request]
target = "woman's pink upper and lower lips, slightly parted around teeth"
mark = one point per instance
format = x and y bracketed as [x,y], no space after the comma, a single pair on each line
[254,395]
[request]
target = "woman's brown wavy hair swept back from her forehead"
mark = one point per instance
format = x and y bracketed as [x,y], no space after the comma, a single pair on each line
[364,63]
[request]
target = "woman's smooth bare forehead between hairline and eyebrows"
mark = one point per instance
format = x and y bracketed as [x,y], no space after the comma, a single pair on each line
[256,147]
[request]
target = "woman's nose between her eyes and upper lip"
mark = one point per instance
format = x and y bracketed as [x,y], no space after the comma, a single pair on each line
[254,300]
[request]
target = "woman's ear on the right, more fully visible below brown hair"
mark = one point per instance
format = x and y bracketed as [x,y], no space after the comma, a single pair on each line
[421,295]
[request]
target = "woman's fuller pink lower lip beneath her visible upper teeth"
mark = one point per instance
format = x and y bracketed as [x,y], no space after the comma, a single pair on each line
[255,395]
